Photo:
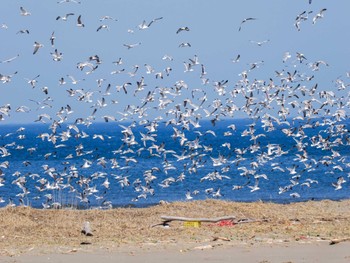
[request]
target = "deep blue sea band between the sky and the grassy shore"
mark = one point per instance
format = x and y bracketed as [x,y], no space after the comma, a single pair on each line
[114,164]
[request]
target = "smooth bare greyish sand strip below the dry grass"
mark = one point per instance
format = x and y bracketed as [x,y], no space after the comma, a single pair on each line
[262,253]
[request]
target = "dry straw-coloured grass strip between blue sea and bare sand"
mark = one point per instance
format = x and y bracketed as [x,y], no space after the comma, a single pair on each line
[22,228]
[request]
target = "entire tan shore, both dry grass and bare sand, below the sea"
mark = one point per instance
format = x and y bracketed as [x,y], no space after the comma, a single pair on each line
[260,232]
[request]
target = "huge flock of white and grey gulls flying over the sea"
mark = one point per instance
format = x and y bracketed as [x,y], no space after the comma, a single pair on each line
[290,102]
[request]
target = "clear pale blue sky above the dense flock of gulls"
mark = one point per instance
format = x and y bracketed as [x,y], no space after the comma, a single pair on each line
[213,35]
